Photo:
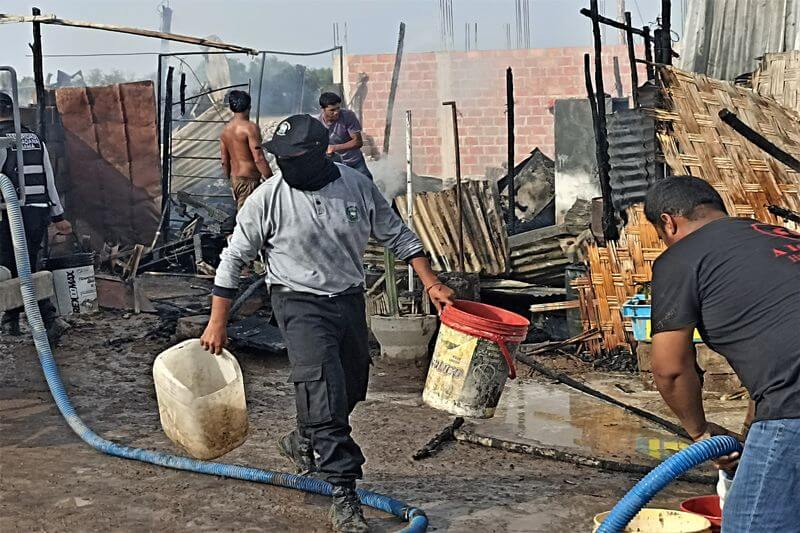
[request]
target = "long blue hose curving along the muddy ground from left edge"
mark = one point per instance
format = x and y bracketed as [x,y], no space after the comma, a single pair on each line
[417,521]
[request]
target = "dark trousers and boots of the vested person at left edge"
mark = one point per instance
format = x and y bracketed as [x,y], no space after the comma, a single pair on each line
[36,220]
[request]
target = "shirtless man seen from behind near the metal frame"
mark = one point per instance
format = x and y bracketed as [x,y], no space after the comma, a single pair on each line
[243,160]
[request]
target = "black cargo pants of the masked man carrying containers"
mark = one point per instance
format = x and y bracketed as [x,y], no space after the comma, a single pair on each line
[328,346]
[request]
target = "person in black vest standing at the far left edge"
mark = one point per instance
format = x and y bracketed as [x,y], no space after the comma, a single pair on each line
[42,206]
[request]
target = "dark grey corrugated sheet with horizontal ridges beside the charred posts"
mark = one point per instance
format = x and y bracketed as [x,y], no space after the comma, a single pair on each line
[631,149]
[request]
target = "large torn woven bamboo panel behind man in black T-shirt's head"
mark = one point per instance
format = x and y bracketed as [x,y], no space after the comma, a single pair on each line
[694,141]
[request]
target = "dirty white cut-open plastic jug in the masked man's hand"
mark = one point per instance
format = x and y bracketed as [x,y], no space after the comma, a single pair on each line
[201,399]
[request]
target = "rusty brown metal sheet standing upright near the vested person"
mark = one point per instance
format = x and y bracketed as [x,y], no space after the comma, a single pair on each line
[112,151]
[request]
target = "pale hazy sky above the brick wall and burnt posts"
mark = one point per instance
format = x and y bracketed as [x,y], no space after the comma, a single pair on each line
[292,25]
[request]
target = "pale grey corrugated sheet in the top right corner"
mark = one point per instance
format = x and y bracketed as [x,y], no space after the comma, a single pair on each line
[725,38]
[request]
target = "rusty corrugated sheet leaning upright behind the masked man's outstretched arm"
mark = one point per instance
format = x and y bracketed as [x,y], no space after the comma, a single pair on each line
[485,238]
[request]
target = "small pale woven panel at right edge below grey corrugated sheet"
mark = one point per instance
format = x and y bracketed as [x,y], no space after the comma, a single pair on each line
[778,76]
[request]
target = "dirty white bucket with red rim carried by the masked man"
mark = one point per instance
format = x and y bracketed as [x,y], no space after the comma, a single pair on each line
[473,358]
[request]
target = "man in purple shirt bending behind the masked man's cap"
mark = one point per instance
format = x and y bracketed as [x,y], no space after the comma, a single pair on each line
[344,131]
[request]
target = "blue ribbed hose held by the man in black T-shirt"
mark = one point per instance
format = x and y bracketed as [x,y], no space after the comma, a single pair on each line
[662,475]
